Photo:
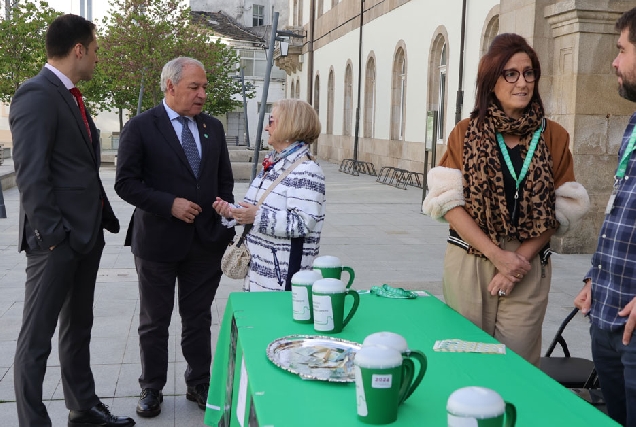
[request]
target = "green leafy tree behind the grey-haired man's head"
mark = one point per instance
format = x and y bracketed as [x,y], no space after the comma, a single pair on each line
[137,38]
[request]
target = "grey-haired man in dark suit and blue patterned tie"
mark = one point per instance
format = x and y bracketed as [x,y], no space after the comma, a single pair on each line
[172,163]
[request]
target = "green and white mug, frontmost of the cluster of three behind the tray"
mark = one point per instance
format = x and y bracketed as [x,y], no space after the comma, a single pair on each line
[328,296]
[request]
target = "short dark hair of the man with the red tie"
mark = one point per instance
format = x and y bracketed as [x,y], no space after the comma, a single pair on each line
[65,32]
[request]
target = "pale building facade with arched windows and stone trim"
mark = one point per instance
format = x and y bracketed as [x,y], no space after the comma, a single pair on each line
[416,67]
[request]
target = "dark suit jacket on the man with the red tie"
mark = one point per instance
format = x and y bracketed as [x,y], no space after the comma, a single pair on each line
[57,168]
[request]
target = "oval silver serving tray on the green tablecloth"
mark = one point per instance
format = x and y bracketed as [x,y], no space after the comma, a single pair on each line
[315,357]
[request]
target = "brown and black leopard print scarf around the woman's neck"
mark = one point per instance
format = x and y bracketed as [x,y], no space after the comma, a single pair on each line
[484,183]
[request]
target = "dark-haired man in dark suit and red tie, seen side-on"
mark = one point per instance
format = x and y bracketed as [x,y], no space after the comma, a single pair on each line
[63,211]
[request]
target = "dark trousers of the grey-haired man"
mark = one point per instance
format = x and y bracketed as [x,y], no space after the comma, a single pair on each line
[198,277]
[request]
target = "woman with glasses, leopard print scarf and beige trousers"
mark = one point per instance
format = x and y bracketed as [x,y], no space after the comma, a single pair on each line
[506,186]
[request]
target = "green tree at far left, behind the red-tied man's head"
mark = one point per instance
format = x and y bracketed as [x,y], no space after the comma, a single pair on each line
[22,44]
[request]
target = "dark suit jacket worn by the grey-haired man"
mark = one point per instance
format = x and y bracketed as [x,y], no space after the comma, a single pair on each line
[152,170]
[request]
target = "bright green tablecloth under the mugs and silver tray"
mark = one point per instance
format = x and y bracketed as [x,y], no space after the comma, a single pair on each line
[281,399]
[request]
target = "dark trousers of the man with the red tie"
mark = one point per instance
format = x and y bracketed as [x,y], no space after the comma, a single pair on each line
[60,285]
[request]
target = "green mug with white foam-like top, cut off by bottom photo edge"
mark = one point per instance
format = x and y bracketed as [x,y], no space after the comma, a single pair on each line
[481,407]
